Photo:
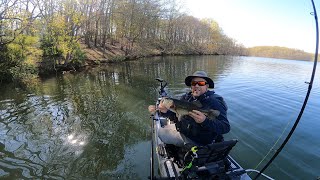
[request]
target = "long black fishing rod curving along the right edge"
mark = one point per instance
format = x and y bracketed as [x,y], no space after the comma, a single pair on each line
[306,98]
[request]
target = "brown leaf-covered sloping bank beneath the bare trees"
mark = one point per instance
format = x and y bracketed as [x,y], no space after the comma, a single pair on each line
[117,52]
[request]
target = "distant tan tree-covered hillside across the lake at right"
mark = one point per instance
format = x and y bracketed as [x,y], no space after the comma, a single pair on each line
[279,52]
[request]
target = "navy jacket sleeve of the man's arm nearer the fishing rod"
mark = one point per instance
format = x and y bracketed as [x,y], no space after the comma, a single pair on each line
[220,125]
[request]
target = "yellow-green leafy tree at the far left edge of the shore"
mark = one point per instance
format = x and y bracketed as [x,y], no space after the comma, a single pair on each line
[16,42]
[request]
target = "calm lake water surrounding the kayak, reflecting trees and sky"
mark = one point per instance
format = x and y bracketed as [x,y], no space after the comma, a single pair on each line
[95,125]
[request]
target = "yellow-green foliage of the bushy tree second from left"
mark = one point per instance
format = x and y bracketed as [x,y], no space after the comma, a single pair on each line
[59,43]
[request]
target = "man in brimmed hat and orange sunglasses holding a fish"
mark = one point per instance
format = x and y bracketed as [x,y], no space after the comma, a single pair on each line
[196,128]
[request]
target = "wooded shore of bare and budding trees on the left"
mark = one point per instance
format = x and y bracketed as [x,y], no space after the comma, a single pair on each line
[40,37]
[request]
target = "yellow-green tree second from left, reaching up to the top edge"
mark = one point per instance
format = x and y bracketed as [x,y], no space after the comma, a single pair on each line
[60,35]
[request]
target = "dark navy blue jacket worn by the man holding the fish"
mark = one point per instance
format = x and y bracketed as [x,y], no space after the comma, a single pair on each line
[209,130]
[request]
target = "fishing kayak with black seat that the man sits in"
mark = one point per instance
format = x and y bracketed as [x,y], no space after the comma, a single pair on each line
[212,161]
